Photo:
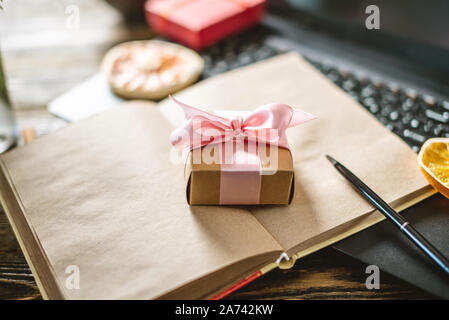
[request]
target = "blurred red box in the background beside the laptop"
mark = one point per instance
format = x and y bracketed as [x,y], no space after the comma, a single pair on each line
[200,23]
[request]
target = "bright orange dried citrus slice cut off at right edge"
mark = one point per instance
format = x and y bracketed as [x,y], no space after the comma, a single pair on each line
[434,161]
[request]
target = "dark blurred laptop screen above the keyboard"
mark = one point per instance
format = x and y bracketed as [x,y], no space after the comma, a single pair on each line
[414,29]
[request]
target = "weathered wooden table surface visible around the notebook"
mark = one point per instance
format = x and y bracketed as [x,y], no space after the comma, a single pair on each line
[45,54]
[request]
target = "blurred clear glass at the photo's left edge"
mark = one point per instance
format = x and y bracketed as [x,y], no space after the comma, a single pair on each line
[8,136]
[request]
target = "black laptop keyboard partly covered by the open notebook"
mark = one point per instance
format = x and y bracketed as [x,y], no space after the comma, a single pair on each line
[413,116]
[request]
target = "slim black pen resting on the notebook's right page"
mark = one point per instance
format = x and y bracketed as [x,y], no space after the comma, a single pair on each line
[398,220]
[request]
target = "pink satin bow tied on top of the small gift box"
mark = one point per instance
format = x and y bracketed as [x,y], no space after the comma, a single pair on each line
[267,124]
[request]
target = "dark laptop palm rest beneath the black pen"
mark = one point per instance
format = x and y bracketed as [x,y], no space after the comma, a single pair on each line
[385,246]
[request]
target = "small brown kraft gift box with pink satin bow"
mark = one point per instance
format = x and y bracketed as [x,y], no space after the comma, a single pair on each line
[238,158]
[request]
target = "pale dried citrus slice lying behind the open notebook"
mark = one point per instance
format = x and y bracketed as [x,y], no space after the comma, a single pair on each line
[150,69]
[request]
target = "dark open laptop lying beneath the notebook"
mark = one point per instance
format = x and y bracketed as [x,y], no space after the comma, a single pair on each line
[399,73]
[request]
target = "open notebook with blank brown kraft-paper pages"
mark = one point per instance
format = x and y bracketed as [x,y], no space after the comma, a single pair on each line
[103,195]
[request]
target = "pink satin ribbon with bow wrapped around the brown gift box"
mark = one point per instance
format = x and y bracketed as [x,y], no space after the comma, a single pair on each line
[240,180]
